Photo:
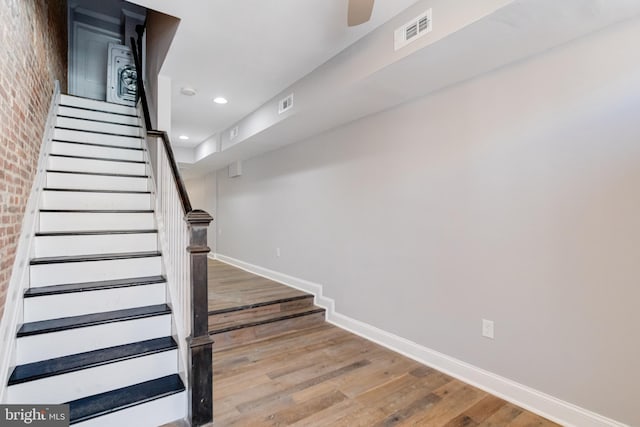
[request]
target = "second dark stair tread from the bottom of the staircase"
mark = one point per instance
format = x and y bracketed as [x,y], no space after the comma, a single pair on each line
[76,362]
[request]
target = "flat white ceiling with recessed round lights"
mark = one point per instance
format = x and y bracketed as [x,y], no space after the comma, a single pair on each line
[248,51]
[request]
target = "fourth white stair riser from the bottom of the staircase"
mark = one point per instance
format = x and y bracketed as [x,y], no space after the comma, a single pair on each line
[79,303]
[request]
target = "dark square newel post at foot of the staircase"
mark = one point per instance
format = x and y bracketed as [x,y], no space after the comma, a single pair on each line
[200,369]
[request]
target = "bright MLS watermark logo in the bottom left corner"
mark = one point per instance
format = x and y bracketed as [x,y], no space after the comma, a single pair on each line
[34,415]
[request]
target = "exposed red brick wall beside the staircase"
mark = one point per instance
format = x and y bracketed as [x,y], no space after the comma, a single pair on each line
[33,54]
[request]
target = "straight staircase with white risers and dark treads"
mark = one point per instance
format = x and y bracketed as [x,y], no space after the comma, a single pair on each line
[97,330]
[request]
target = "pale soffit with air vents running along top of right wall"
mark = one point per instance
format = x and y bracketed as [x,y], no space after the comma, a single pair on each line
[498,33]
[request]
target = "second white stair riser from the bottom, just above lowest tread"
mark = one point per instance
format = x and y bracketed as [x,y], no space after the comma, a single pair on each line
[99,379]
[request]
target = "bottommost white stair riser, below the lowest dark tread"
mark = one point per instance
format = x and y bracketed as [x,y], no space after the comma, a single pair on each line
[151,414]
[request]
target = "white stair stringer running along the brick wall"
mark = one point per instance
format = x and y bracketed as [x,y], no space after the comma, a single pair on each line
[12,315]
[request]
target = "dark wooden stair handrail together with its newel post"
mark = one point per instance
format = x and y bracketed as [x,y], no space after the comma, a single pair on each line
[199,365]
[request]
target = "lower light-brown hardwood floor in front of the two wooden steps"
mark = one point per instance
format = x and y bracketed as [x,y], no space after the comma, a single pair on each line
[325,376]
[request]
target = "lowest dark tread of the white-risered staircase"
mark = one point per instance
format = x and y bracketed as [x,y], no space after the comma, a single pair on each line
[105,403]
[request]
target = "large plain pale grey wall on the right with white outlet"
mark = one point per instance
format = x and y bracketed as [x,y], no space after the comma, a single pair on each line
[511,197]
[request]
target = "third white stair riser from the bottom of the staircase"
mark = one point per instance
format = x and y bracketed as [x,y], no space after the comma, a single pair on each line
[71,341]
